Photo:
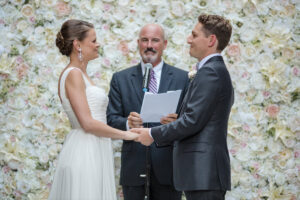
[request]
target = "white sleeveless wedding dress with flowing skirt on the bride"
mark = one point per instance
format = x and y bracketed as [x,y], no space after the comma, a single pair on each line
[85,169]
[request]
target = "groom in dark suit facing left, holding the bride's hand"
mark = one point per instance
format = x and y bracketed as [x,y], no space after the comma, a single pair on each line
[200,155]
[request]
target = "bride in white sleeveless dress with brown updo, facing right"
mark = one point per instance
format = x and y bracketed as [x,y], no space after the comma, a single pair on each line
[85,167]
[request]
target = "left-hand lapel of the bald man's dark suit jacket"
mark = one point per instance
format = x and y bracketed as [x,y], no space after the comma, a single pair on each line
[137,82]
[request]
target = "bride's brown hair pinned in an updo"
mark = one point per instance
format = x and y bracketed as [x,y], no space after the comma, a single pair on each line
[71,30]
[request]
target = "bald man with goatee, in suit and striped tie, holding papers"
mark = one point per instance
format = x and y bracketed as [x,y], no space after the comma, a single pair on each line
[125,100]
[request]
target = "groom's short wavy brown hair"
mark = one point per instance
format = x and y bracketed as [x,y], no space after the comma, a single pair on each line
[218,26]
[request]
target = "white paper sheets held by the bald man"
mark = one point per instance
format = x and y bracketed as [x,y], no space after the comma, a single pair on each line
[156,106]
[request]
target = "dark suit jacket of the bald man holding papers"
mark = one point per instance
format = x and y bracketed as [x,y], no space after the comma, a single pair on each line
[126,96]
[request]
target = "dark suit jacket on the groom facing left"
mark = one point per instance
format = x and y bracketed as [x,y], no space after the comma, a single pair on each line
[200,155]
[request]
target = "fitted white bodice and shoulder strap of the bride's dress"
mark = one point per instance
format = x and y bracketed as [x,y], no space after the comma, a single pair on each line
[96,97]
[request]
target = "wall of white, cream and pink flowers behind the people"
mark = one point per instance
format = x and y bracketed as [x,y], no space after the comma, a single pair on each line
[263,60]
